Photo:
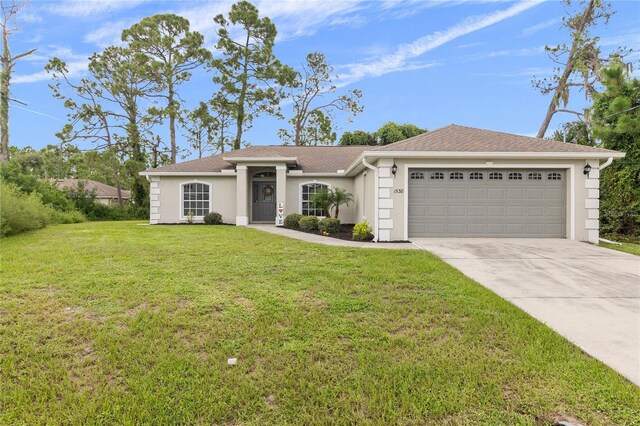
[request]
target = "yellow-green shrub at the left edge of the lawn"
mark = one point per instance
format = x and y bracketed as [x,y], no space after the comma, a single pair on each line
[21,212]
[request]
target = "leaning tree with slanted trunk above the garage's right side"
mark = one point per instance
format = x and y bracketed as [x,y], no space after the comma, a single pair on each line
[581,61]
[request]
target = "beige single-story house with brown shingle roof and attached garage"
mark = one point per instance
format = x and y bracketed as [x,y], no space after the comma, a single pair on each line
[453,182]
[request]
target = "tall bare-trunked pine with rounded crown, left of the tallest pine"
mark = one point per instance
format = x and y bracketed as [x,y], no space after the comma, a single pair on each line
[172,51]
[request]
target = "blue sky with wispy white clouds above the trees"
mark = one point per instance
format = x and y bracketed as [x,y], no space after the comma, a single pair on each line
[431,63]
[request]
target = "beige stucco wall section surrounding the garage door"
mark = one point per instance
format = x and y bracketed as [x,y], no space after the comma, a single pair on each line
[584,198]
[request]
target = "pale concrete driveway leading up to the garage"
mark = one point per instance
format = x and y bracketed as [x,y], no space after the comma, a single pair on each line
[588,294]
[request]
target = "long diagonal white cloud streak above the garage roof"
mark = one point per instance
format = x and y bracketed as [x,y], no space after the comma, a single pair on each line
[401,59]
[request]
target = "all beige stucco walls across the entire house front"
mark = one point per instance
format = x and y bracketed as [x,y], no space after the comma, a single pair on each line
[581,213]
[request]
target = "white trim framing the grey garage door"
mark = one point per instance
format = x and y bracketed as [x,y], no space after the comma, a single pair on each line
[570,168]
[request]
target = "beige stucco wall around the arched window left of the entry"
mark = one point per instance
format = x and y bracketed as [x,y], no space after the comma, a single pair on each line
[223,196]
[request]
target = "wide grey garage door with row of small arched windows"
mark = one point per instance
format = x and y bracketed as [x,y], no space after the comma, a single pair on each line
[487,203]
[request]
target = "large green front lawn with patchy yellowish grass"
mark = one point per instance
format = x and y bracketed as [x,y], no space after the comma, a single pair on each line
[114,323]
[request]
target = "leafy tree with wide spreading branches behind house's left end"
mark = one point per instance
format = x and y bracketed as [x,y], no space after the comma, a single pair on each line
[105,108]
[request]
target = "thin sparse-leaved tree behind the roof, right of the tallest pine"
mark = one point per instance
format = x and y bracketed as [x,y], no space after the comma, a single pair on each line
[312,113]
